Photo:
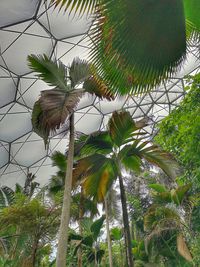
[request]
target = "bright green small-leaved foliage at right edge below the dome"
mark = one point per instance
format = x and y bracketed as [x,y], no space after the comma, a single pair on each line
[179,132]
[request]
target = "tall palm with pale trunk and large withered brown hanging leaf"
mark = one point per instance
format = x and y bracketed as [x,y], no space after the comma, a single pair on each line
[54,108]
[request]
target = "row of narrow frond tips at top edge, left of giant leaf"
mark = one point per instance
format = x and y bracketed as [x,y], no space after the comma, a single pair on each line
[77,6]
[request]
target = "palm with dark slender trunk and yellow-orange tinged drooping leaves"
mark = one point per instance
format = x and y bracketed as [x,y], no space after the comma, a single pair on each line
[105,154]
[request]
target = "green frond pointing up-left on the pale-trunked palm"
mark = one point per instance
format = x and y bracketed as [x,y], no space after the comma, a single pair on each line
[52,72]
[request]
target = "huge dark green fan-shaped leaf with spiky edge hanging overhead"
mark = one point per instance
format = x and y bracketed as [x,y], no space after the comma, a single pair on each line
[149,42]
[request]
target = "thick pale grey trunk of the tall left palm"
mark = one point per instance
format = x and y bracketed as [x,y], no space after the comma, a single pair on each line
[65,215]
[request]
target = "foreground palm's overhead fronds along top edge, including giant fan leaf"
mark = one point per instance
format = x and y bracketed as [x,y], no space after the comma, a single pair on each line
[148,45]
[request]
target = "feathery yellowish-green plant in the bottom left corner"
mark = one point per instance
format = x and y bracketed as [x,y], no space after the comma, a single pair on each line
[28,225]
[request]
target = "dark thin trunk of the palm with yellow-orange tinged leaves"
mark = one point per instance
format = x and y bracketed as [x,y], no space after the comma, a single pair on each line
[127,234]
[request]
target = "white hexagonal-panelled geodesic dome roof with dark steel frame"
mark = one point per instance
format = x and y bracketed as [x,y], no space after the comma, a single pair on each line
[35,27]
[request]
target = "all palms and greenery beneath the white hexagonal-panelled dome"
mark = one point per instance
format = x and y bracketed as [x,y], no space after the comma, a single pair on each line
[117,198]
